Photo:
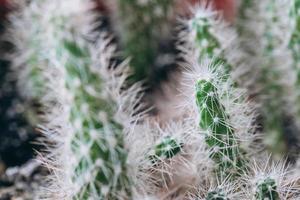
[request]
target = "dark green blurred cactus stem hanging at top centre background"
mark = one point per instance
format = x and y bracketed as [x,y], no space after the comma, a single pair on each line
[143,24]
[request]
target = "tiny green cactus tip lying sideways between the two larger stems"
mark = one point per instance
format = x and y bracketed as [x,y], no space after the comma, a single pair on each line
[167,148]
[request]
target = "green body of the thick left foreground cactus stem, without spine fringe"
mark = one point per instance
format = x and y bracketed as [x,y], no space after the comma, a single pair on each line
[97,143]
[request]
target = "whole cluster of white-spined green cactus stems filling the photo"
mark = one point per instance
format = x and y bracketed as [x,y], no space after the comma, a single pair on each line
[100,144]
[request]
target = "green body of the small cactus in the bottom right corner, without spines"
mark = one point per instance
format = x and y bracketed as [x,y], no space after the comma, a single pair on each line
[266,189]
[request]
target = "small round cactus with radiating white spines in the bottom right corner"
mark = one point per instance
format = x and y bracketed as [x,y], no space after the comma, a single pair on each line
[270,180]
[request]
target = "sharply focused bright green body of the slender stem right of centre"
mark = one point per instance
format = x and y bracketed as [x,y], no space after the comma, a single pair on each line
[219,133]
